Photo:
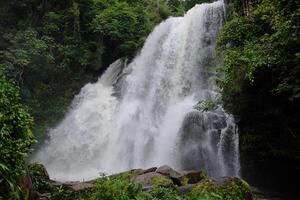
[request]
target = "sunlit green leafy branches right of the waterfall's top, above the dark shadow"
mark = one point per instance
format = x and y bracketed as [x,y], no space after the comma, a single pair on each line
[258,41]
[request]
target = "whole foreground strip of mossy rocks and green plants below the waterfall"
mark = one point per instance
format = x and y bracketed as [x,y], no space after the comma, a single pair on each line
[130,185]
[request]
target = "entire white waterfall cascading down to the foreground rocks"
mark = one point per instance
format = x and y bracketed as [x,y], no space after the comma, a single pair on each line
[144,115]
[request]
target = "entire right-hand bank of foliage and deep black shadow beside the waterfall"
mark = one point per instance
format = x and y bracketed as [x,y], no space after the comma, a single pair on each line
[260,84]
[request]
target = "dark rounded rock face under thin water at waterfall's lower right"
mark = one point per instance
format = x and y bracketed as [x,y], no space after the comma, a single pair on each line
[202,128]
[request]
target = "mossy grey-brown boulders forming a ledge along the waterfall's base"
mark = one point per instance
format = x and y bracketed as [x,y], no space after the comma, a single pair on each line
[185,182]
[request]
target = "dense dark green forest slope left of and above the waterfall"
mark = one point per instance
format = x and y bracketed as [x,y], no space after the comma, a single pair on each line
[52,48]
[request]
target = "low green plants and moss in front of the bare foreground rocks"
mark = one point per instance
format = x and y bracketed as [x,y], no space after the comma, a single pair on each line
[122,187]
